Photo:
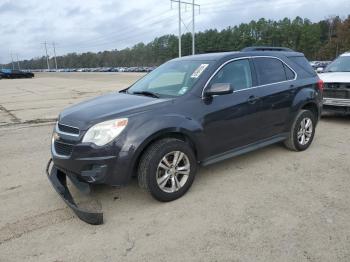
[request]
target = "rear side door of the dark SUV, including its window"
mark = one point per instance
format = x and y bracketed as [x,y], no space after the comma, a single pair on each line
[275,89]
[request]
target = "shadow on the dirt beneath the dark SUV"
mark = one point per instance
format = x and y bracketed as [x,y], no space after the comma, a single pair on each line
[109,196]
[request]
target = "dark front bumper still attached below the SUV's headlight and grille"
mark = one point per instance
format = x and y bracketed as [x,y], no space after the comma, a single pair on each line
[89,163]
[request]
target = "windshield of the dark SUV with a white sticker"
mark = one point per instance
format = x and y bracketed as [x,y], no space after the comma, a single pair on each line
[171,79]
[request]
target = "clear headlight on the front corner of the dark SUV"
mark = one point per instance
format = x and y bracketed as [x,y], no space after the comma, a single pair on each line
[104,132]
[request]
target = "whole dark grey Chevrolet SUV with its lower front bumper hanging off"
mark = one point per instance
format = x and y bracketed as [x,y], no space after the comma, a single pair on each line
[192,110]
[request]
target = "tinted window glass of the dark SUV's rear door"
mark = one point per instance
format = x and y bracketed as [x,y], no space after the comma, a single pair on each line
[269,70]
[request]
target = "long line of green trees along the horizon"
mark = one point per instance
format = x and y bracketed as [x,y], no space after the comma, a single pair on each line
[323,40]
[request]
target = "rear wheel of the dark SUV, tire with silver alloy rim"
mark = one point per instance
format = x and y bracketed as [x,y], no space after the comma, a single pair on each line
[301,136]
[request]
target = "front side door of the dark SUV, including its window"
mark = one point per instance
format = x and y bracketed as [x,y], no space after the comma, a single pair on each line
[232,120]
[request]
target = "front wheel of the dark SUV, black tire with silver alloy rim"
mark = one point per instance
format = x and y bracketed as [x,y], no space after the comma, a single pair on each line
[164,179]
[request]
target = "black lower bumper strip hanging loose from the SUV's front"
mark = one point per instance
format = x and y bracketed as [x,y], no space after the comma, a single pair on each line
[58,180]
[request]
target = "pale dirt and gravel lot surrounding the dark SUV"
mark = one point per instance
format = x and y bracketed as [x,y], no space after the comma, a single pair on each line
[269,205]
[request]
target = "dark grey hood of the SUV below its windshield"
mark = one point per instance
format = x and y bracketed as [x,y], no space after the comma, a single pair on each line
[106,107]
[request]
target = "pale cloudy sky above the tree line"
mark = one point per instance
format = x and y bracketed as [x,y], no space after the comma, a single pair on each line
[97,25]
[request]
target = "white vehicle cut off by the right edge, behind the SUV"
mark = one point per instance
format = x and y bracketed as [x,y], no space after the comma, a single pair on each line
[336,78]
